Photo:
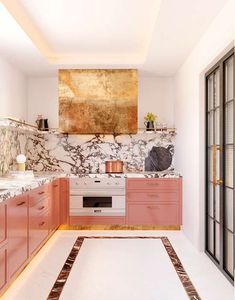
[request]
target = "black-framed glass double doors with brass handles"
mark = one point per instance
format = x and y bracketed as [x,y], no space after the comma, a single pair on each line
[220,188]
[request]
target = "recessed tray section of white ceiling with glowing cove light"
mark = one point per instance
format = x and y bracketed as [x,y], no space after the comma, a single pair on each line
[93,32]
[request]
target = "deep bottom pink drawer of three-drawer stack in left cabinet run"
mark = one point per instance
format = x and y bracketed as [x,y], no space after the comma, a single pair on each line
[38,231]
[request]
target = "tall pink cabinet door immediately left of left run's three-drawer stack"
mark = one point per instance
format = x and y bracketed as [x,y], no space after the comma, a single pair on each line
[17,233]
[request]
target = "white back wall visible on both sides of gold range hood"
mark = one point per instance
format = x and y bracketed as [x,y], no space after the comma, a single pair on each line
[155,95]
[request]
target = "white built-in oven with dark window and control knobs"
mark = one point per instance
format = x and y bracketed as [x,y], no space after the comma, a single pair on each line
[97,197]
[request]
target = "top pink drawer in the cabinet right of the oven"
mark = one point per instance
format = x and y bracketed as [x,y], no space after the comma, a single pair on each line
[153,184]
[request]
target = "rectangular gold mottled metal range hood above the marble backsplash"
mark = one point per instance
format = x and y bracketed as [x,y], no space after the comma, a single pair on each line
[98,101]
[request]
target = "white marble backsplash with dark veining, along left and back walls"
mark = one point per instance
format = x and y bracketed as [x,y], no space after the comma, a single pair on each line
[78,153]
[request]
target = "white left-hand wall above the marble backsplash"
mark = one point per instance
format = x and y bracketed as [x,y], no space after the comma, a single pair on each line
[13,92]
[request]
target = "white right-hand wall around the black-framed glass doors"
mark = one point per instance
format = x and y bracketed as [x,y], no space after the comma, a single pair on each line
[189,119]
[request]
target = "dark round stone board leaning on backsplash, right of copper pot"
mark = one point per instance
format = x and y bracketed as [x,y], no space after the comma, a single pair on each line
[159,159]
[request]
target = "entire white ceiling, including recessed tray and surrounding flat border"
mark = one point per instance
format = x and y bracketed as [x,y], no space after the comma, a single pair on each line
[152,35]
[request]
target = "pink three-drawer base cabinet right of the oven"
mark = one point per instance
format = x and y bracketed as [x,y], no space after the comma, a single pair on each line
[154,201]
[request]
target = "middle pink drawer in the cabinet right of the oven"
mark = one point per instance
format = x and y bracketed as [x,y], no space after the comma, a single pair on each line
[152,196]
